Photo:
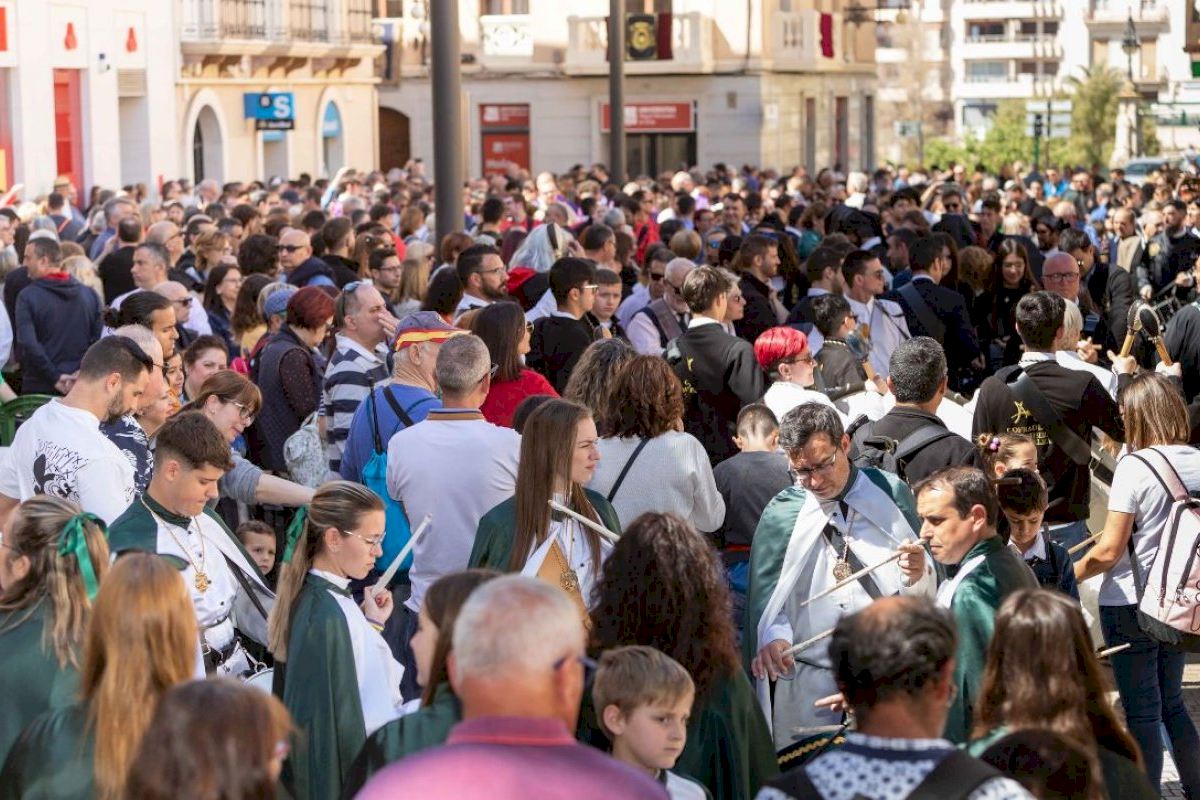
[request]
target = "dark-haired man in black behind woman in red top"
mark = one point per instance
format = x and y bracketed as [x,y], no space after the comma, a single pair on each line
[560,340]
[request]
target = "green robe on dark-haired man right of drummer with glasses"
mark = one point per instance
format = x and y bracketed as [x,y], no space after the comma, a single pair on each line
[974,605]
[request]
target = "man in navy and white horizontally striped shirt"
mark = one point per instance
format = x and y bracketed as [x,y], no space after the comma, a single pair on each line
[361,362]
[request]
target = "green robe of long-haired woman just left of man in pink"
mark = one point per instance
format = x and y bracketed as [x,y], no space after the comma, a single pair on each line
[427,727]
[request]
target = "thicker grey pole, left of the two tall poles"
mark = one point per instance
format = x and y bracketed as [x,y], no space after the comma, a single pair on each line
[447,86]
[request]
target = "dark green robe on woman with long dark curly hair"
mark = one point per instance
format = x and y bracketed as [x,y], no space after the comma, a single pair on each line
[729,751]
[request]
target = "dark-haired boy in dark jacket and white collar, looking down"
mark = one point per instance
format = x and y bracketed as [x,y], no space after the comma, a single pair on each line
[1023,500]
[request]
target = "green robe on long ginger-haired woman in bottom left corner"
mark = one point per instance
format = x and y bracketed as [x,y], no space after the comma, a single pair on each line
[52,760]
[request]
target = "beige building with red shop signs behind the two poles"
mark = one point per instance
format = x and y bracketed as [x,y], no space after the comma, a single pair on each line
[763,82]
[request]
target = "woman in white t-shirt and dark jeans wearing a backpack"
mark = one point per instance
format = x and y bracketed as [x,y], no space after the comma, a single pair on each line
[1150,673]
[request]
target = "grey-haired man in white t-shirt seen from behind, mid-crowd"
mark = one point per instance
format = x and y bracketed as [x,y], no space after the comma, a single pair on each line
[455,466]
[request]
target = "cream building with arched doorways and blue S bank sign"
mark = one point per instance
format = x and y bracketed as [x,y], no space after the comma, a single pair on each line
[313,58]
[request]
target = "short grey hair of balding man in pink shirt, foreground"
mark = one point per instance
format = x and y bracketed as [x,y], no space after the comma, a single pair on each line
[514,625]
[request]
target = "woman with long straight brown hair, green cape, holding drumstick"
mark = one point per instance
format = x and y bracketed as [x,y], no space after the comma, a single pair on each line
[559,456]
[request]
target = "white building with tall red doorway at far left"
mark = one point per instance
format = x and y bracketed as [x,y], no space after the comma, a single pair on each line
[87,92]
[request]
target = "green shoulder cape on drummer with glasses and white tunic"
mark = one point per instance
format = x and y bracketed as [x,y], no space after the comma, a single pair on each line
[773,534]
